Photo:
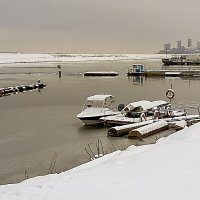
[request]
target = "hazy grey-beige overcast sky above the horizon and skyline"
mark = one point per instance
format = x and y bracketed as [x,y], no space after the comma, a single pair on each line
[97,26]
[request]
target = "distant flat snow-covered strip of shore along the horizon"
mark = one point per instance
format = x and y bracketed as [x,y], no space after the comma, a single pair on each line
[6,58]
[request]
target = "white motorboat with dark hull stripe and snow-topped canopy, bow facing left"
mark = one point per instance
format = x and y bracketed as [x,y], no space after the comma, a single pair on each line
[95,107]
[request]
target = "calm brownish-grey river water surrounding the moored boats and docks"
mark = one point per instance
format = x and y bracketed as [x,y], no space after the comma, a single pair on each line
[38,126]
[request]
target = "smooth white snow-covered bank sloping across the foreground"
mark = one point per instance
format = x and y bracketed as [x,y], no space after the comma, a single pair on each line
[169,169]
